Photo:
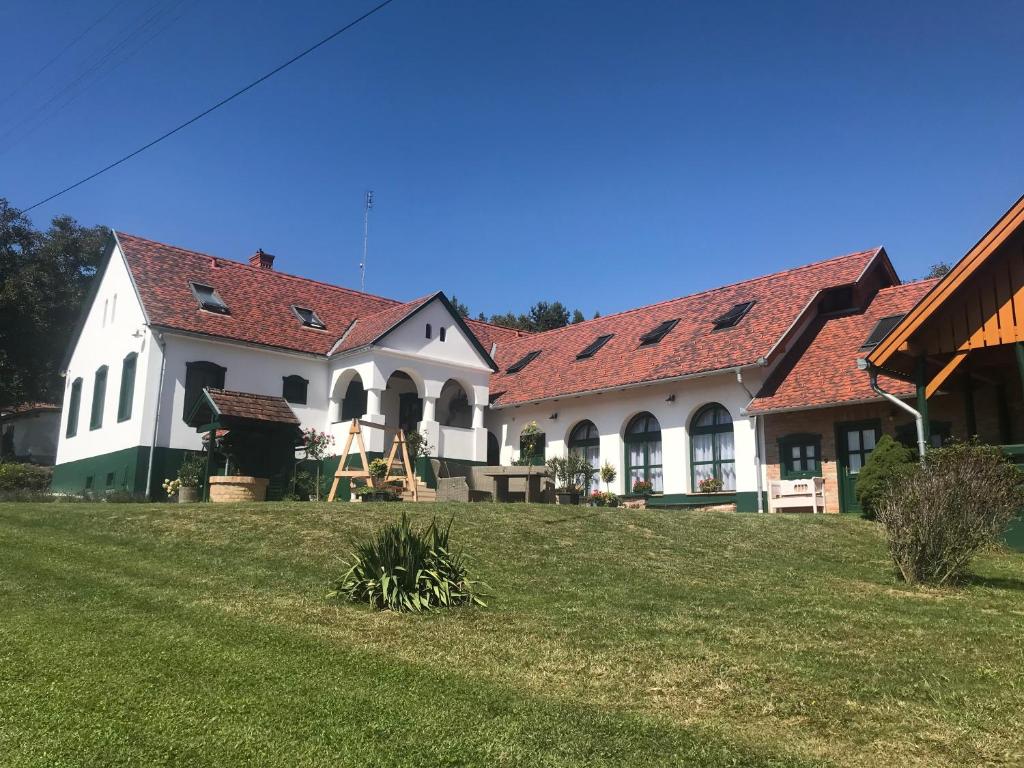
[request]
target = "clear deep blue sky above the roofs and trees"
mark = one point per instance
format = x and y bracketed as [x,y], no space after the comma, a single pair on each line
[607,155]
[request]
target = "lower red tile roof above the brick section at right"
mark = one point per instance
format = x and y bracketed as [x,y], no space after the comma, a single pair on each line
[824,370]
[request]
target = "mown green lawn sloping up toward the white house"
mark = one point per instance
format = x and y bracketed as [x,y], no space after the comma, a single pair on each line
[200,635]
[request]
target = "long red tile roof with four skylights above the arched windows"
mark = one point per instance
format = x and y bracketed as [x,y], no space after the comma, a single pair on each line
[692,348]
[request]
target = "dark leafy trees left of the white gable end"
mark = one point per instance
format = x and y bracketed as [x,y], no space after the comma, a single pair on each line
[45,278]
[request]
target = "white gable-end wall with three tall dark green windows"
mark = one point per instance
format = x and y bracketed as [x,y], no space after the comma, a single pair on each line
[107,338]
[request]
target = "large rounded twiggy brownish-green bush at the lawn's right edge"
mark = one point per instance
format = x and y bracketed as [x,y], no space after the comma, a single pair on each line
[940,515]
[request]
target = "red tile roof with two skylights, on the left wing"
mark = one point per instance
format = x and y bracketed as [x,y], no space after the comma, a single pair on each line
[261,301]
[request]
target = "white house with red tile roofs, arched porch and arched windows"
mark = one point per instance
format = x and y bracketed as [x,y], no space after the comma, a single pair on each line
[660,393]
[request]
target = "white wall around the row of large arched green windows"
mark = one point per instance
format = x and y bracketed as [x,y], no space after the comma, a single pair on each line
[611,412]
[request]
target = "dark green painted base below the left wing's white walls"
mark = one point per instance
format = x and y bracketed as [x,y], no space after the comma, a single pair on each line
[119,471]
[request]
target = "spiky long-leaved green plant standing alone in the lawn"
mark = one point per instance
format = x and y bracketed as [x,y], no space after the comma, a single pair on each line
[405,569]
